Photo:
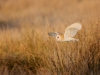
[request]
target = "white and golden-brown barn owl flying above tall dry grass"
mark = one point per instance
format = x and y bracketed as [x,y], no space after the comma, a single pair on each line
[70,32]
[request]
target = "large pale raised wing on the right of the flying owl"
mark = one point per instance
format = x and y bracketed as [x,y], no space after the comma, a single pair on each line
[71,30]
